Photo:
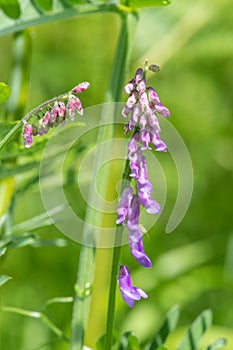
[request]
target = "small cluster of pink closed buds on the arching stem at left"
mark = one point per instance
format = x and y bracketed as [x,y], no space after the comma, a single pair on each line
[56,114]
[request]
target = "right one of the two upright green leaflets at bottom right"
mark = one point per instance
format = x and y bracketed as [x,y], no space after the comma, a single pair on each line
[193,337]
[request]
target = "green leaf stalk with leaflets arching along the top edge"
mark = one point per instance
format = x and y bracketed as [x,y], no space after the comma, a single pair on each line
[48,11]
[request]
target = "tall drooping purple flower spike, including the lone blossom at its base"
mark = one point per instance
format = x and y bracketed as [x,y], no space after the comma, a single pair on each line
[142,106]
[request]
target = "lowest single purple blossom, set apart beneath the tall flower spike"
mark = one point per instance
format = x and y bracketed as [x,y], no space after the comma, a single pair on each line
[128,292]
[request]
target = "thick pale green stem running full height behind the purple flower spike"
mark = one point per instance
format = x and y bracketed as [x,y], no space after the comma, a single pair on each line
[86,270]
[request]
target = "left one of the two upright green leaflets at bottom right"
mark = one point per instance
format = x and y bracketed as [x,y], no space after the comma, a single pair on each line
[168,325]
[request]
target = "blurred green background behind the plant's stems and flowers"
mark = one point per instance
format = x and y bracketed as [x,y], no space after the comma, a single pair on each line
[193,265]
